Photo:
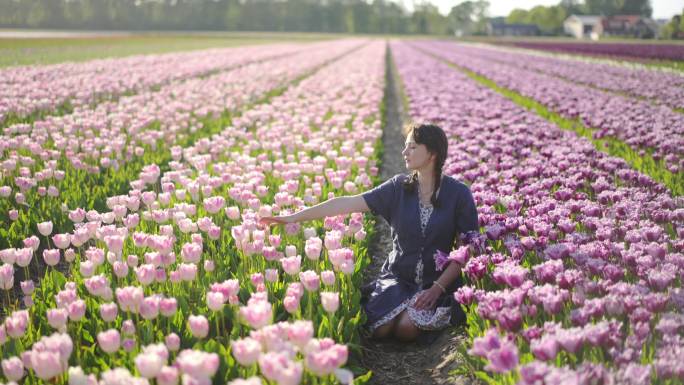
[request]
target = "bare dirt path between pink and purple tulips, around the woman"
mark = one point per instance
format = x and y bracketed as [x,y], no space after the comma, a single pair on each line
[393,362]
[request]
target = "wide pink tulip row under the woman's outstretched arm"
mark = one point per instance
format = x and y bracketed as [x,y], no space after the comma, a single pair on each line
[177,281]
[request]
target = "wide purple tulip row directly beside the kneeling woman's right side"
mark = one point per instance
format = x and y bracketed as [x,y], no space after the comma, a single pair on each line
[576,277]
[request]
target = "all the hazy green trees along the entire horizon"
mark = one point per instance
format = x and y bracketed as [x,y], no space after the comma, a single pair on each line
[337,16]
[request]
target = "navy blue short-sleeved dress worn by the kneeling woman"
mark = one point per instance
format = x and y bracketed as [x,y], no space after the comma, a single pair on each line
[410,266]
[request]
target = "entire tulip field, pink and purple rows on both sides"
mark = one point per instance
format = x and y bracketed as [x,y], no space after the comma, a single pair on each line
[131,190]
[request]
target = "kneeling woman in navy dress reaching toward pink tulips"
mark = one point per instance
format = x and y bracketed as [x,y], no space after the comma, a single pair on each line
[426,211]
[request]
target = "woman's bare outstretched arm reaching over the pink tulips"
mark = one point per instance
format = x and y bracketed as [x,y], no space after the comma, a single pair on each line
[329,208]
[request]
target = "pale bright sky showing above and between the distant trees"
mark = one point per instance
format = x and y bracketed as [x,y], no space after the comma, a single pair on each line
[662,9]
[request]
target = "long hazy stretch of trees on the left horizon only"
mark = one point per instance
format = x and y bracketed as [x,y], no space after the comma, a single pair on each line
[343,16]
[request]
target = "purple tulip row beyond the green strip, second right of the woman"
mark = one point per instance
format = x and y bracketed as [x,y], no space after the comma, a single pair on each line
[657,130]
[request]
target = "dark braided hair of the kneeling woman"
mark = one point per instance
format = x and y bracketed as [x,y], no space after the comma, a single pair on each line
[434,138]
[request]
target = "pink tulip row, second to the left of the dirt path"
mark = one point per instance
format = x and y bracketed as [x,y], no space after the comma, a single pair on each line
[47,164]
